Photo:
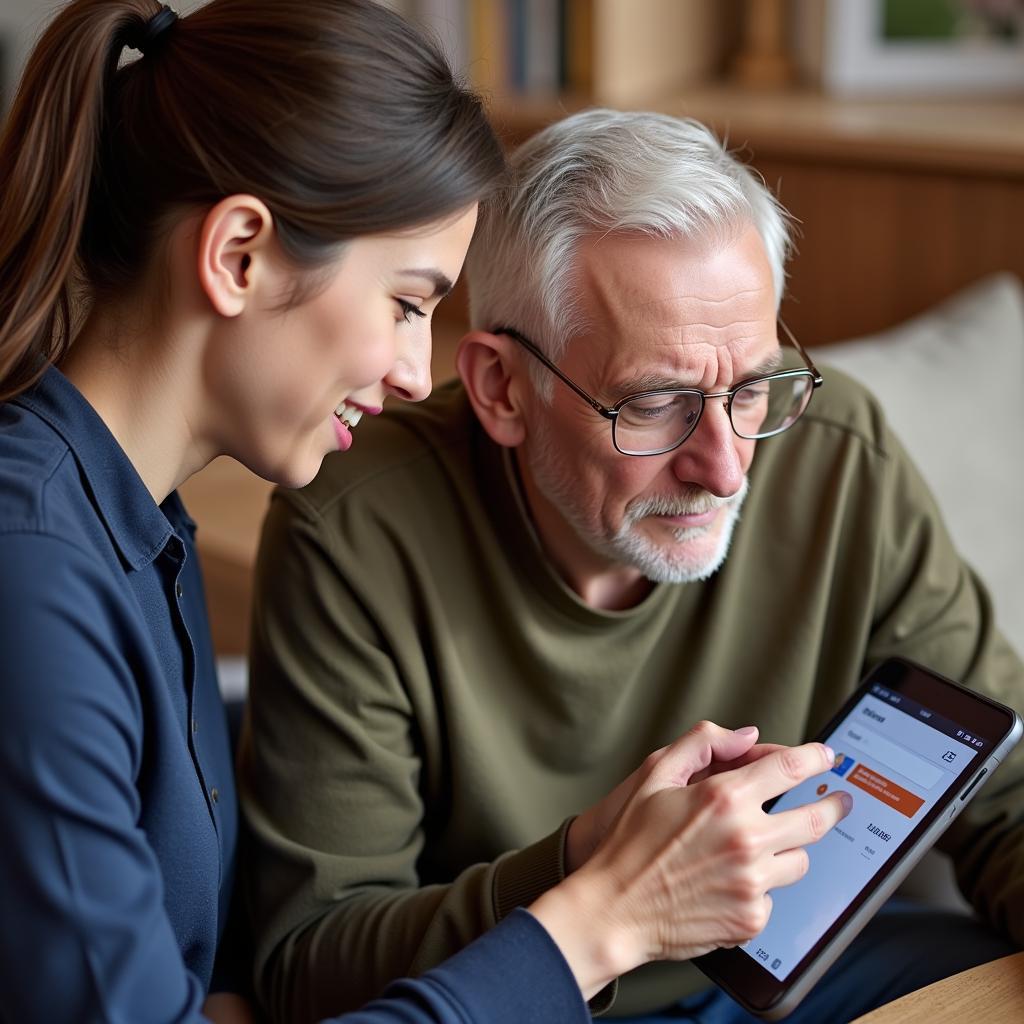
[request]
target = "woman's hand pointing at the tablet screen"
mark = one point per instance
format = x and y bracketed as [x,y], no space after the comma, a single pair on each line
[688,863]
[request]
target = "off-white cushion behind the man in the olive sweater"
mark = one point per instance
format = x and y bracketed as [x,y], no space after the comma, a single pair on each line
[952,382]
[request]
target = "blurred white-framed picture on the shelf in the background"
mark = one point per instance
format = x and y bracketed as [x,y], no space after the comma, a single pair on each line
[923,48]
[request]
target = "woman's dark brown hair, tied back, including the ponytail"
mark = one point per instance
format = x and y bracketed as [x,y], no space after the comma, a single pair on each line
[337,114]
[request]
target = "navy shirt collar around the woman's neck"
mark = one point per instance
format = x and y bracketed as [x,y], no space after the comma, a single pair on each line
[139,527]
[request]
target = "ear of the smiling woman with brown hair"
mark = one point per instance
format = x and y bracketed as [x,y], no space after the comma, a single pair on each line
[234,252]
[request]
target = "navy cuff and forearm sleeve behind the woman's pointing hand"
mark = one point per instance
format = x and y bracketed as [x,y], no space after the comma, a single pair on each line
[514,974]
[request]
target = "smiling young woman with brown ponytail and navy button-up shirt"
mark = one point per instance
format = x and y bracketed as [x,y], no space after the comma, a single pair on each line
[231,244]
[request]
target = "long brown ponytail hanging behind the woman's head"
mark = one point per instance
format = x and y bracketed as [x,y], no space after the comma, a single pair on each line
[49,153]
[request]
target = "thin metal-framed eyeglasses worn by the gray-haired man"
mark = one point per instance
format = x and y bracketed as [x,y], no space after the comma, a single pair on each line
[656,422]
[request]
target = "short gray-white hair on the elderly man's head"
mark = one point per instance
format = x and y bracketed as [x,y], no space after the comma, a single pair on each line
[594,174]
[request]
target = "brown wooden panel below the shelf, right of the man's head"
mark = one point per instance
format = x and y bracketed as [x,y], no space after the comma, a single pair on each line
[878,245]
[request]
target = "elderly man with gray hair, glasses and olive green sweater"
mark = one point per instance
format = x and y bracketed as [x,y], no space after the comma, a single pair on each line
[479,622]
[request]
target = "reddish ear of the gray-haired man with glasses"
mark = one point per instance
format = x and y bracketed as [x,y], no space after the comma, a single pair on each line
[495,378]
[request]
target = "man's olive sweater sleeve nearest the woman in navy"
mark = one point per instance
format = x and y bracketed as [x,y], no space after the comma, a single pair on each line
[330,778]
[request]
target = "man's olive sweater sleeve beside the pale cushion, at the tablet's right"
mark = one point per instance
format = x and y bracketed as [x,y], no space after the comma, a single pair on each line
[933,609]
